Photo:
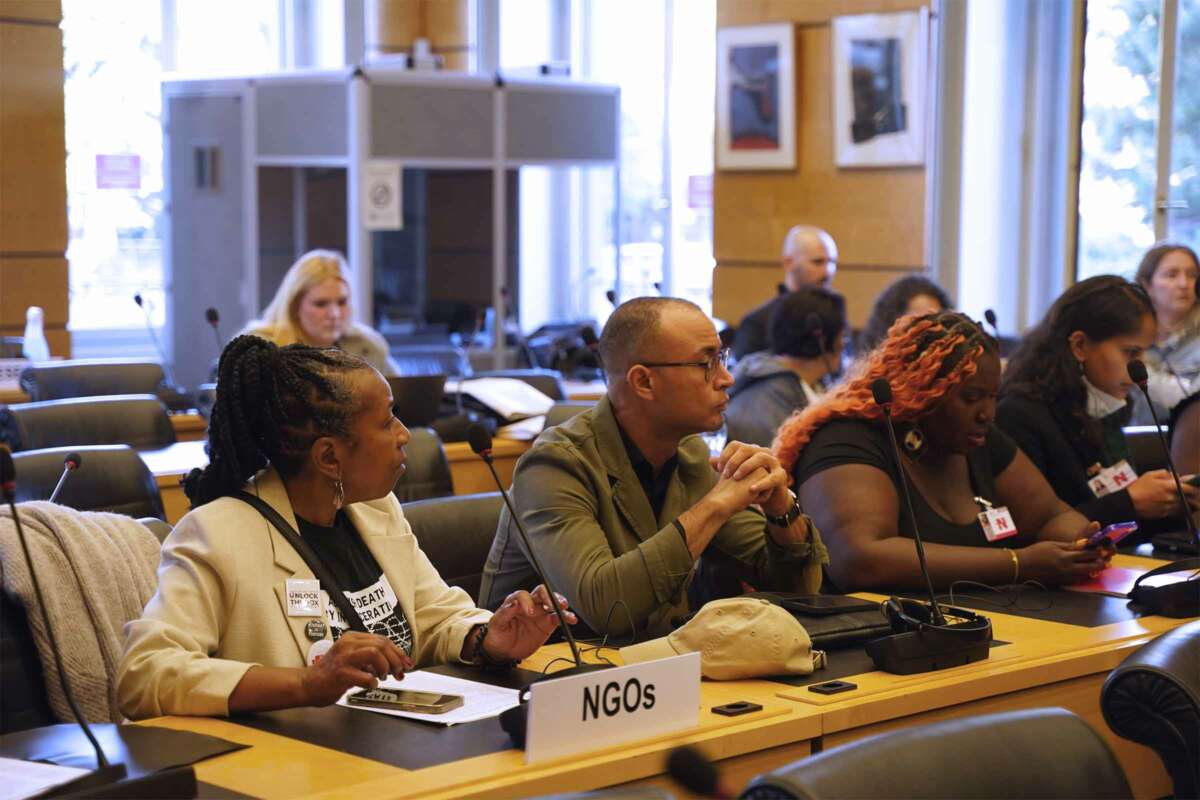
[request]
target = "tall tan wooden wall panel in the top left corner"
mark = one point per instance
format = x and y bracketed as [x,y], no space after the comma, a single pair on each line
[33,154]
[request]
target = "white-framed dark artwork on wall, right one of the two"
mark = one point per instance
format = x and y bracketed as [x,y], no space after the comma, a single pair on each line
[879,93]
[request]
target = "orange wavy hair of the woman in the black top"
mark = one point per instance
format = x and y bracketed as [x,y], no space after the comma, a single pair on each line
[923,358]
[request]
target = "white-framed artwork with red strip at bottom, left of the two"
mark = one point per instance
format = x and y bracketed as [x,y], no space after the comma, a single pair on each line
[757,98]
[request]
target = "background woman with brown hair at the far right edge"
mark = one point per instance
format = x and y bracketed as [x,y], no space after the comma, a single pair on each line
[1171,273]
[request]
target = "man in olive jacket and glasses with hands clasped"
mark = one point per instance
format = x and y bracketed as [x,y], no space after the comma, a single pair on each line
[622,501]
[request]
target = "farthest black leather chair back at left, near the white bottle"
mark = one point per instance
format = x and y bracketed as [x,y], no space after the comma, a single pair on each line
[91,378]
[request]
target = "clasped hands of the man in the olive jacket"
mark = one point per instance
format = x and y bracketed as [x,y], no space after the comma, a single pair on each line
[753,476]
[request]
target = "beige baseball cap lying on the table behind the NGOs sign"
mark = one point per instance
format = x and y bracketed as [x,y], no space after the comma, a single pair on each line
[737,637]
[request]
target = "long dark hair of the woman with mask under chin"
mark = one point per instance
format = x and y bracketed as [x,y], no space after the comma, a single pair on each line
[1043,369]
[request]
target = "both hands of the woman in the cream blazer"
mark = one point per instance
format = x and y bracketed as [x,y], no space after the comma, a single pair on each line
[520,627]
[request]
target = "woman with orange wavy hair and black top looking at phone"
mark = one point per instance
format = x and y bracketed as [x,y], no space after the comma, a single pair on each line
[945,376]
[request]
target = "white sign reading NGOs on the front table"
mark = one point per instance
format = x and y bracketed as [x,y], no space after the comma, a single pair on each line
[609,707]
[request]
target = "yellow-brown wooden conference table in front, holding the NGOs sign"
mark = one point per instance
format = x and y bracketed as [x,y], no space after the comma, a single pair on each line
[1042,664]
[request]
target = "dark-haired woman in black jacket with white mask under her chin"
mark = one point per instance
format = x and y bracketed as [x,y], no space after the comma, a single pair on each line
[1066,399]
